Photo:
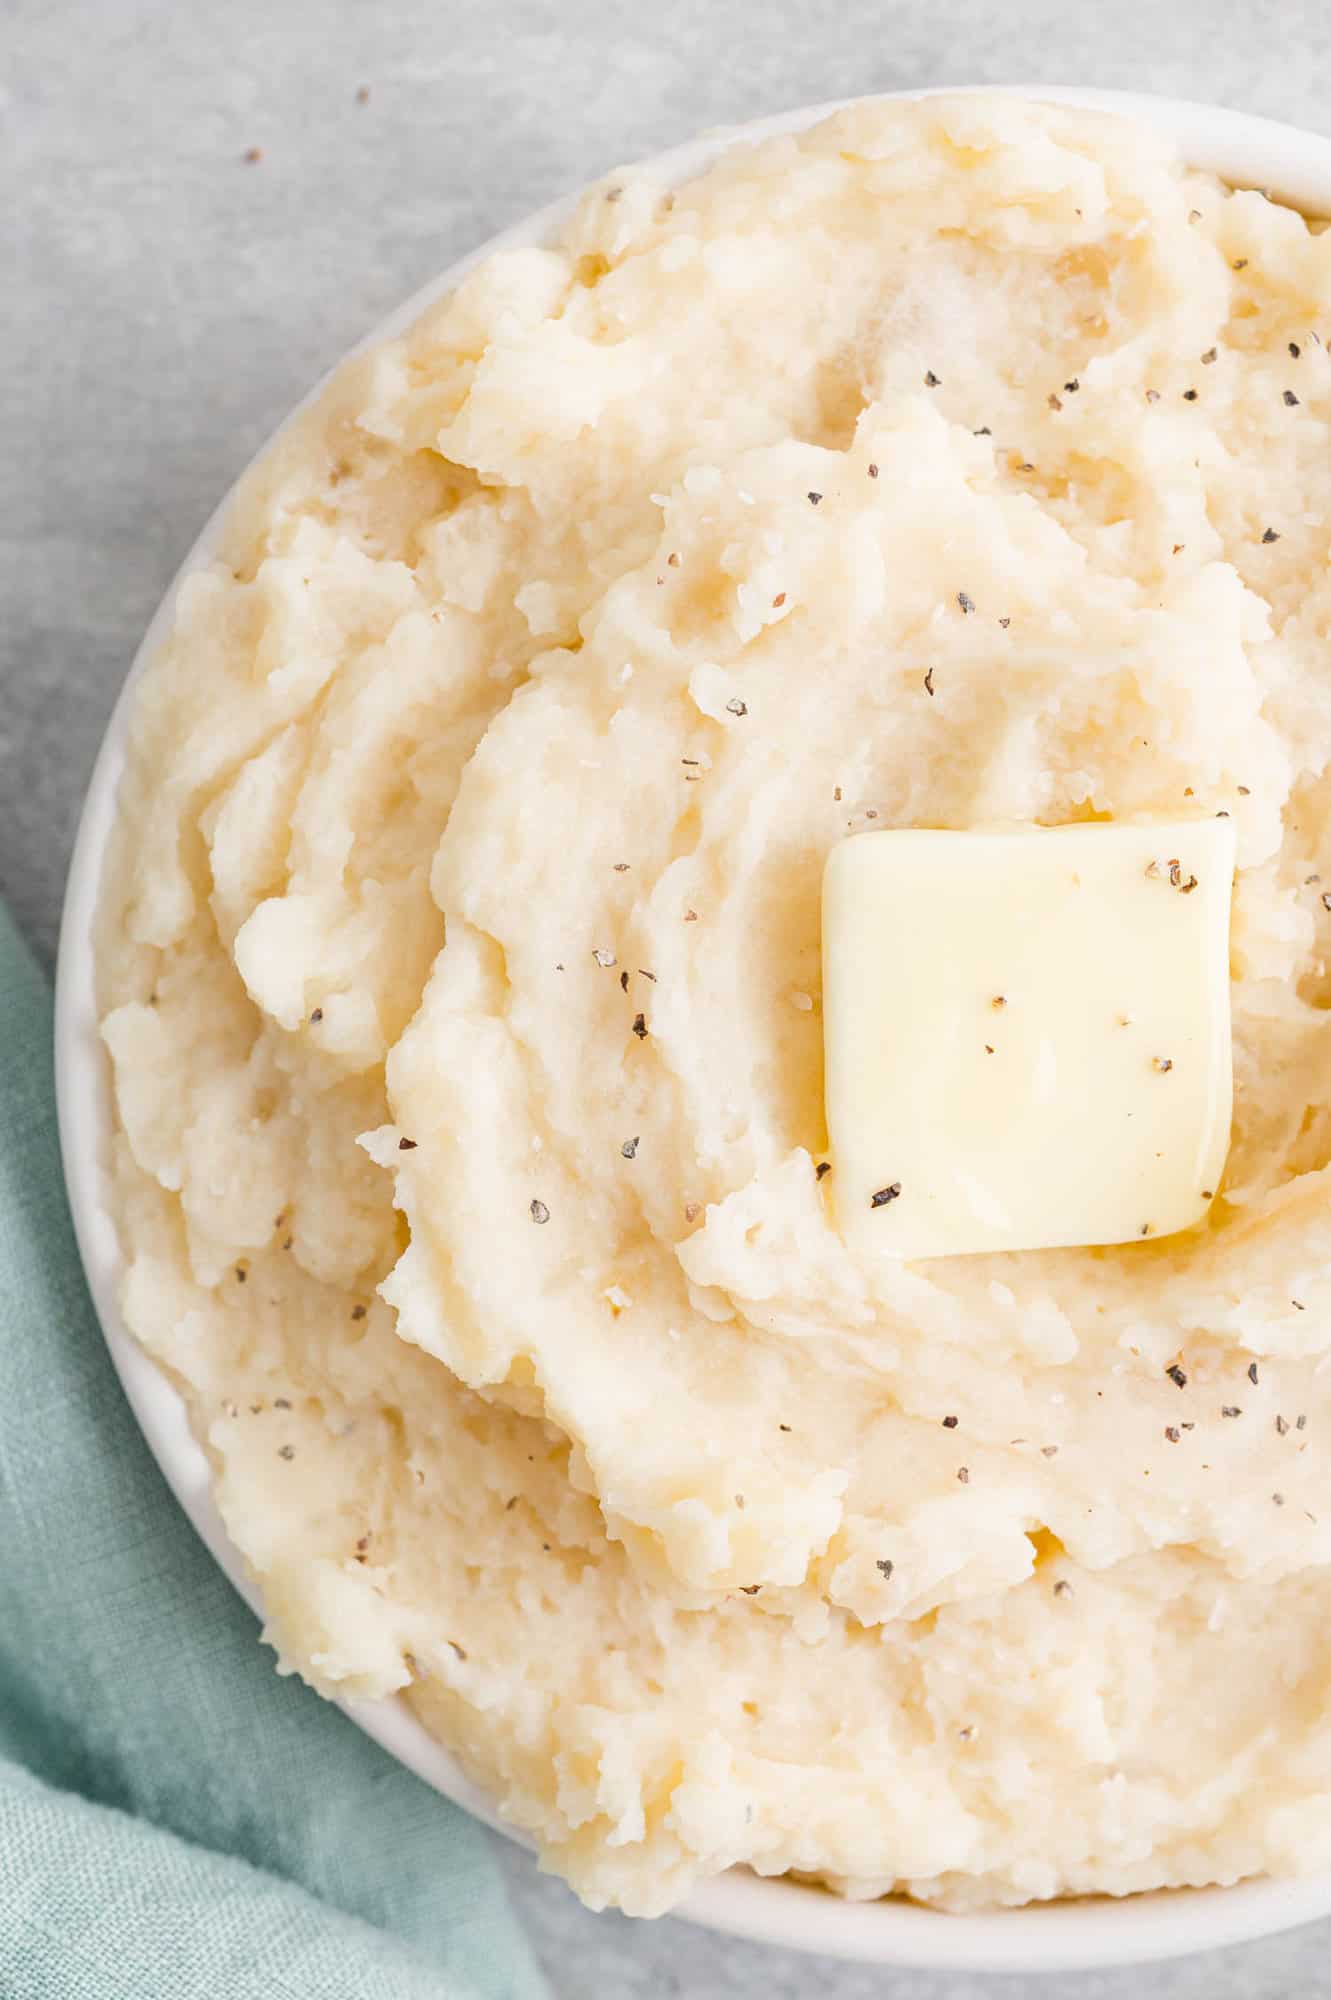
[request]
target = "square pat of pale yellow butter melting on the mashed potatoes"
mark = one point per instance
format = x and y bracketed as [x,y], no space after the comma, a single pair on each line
[1026,1035]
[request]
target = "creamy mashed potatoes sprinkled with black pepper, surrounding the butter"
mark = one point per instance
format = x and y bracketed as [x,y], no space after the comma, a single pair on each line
[461,971]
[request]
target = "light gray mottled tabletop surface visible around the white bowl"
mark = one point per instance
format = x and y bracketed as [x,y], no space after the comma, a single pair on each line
[173,301]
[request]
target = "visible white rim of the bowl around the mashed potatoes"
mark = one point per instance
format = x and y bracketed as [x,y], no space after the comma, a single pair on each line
[1038,1939]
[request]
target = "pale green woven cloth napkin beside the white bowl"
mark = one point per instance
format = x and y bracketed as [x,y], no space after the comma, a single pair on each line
[177,1823]
